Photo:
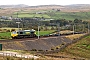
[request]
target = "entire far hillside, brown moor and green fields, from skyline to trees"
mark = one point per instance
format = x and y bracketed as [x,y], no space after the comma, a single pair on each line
[68,12]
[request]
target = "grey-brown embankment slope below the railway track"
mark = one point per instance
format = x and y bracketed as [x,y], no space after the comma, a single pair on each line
[44,45]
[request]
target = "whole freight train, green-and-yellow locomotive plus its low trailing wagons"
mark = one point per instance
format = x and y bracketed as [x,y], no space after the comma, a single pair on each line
[32,34]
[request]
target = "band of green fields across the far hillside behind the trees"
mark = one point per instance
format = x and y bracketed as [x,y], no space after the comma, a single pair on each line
[56,15]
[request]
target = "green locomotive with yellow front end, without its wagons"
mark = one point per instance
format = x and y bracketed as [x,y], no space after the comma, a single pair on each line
[23,34]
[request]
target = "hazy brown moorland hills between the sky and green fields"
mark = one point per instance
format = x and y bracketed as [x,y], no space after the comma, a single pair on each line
[66,8]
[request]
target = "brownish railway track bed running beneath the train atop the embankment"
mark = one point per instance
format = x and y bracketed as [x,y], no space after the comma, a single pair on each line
[35,38]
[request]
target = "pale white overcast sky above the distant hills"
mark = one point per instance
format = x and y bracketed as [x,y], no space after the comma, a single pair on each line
[43,2]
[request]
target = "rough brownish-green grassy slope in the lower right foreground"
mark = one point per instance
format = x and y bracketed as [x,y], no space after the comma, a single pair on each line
[77,51]
